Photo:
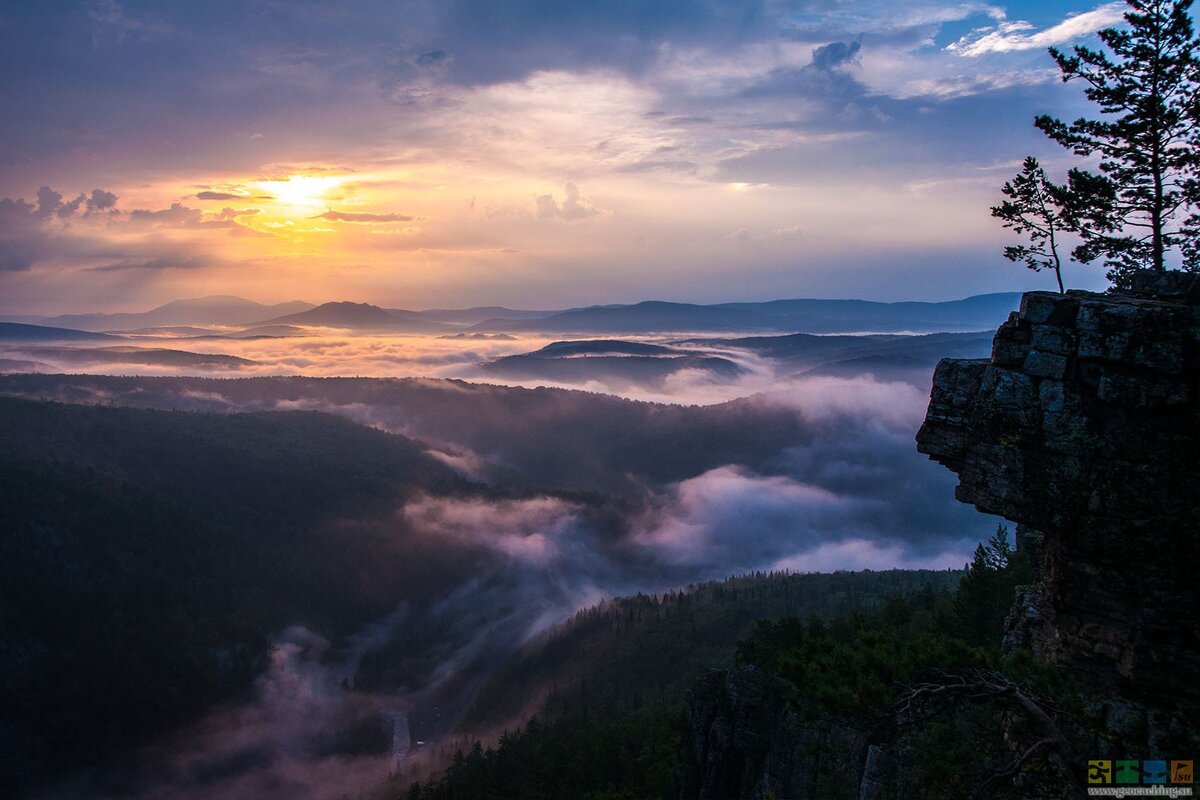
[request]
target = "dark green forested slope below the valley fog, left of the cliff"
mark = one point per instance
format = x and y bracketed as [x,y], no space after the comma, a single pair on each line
[848,643]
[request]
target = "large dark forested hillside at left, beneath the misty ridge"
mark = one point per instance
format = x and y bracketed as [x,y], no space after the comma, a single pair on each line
[147,557]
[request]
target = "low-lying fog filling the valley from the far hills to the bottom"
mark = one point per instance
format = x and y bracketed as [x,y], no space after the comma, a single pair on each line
[812,472]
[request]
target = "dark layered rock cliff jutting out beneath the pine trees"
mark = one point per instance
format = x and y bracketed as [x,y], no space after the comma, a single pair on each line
[1085,426]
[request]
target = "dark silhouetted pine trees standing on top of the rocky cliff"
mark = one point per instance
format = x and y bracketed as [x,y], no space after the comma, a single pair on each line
[1144,202]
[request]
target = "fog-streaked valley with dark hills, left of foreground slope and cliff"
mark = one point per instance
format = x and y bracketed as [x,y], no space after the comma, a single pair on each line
[400,540]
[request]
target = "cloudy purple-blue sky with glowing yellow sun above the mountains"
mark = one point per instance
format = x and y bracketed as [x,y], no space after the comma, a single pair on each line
[535,154]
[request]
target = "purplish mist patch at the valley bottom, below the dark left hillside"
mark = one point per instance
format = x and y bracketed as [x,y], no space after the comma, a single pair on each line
[291,732]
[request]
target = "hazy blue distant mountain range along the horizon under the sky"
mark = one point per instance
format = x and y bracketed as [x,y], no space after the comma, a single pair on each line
[650,317]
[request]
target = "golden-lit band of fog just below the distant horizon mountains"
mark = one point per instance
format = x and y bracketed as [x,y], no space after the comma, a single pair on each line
[695,369]
